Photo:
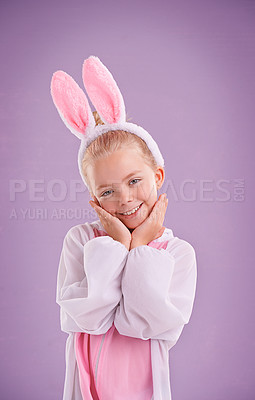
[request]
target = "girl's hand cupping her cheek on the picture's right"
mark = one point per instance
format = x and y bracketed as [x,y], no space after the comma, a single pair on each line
[149,229]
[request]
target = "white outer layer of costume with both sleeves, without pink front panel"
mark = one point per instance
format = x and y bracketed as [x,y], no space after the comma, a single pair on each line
[147,293]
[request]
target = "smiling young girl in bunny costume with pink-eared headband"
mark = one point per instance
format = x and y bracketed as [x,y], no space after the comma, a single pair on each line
[126,284]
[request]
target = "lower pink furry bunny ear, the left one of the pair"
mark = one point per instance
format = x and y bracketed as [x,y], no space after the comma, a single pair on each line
[71,103]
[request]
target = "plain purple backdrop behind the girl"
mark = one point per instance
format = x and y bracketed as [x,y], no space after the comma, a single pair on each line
[186,71]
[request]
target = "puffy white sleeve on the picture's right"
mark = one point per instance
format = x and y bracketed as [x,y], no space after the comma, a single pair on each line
[158,289]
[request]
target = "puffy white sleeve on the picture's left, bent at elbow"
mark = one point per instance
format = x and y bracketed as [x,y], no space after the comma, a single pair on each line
[89,281]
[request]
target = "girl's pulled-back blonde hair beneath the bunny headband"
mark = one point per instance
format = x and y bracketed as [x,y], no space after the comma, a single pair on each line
[111,141]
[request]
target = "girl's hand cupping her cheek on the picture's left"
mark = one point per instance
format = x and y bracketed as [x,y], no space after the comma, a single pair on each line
[112,225]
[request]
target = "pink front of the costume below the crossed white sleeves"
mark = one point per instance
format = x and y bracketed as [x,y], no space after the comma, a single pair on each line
[113,366]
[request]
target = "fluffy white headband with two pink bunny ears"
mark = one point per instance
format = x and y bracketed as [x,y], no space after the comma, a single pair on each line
[73,107]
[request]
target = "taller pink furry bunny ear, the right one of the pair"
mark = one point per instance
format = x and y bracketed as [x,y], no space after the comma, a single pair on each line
[103,91]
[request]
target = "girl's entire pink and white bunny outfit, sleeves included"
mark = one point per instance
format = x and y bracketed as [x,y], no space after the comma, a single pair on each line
[123,311]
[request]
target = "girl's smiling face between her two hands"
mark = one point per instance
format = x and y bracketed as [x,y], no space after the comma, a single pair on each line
[122,181]
